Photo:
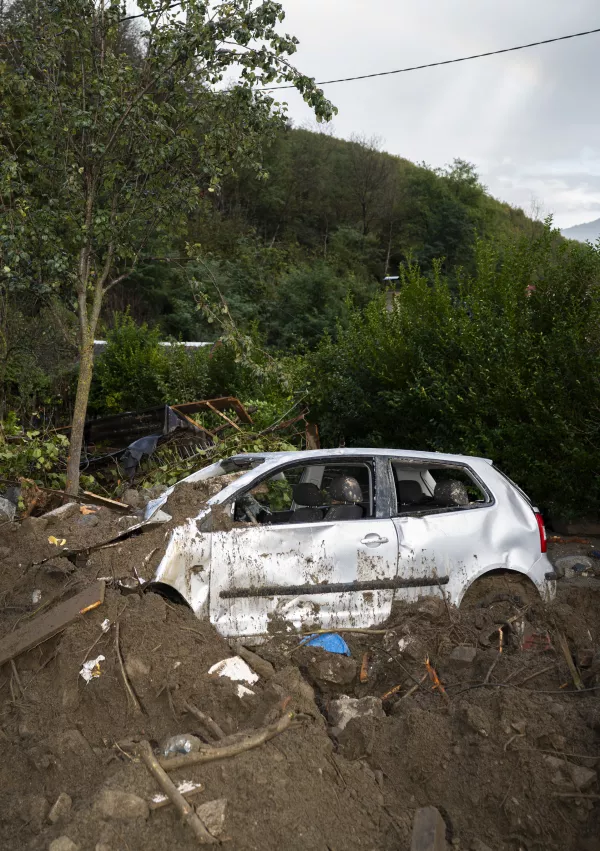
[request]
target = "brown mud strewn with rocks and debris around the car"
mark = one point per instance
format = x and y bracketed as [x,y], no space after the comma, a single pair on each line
[506,748]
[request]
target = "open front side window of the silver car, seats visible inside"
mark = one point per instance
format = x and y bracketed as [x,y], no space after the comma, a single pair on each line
[310,493]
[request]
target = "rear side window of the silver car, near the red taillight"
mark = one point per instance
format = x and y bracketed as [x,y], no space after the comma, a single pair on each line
[424,488]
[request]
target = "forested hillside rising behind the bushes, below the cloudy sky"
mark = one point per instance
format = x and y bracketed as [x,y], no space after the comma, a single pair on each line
[327,222]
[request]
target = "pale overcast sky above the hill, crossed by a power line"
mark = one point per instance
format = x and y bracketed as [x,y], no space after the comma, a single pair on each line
[528,120]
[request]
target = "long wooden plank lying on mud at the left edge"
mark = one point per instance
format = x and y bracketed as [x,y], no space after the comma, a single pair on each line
[50,624]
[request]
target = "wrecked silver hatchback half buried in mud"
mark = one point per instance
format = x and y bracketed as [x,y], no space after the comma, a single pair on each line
[331,538]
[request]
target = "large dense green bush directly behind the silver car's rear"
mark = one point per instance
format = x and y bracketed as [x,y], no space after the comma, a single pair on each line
[488,367]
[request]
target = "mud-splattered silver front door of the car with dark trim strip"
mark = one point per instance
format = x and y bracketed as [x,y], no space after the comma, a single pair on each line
[319,573]
